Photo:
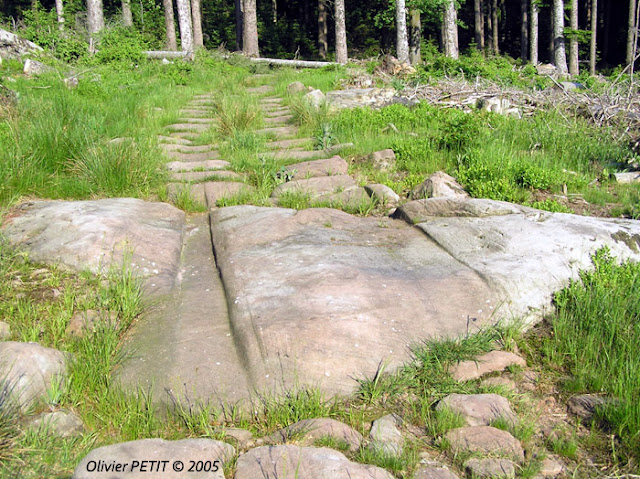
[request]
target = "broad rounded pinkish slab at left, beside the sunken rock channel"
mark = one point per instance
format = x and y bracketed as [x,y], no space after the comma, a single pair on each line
[94,235]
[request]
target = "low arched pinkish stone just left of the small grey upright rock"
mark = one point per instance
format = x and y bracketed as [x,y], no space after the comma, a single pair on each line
[308,431]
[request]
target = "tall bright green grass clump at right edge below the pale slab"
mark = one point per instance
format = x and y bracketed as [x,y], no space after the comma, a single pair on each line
[596,336]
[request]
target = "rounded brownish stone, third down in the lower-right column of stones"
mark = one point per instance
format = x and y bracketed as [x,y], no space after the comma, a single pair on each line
[485,440]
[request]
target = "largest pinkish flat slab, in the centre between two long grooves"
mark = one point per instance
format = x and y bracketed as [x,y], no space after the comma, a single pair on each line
[321,297]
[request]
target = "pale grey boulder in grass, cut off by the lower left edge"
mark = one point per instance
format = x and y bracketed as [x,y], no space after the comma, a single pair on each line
[29,370]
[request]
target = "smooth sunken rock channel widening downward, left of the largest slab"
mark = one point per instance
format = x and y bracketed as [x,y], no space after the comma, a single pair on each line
[186,347]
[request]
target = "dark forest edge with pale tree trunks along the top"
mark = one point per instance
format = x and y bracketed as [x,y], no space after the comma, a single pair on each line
[567,33]
